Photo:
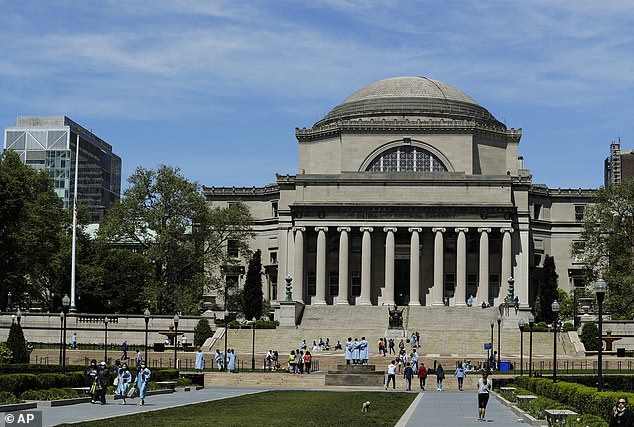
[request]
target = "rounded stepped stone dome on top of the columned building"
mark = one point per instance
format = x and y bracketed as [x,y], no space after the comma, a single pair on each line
[410,97]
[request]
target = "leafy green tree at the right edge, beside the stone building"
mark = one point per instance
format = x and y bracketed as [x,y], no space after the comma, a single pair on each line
[608,246]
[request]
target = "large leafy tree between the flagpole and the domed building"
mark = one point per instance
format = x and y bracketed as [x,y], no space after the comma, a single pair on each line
[165,218]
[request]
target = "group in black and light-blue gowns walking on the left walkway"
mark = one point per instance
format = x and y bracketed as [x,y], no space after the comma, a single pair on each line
[98,377]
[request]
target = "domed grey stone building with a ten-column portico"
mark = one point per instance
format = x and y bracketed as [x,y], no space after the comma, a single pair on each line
[409,193]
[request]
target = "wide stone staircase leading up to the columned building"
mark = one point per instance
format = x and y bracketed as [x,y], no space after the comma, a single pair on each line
[455,331]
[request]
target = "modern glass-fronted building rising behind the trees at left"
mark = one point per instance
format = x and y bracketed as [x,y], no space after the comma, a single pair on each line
[48,143]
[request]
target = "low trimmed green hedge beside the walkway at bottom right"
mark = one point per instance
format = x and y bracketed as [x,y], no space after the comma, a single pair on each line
[584,399]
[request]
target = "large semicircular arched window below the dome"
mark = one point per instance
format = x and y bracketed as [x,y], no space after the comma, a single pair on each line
[406,159]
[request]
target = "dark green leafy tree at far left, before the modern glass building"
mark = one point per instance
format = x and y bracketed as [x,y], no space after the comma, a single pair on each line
[33,230]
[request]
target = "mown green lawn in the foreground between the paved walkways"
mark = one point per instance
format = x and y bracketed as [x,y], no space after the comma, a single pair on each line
[278,408]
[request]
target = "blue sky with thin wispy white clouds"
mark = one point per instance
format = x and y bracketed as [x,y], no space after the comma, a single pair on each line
[218,87]
